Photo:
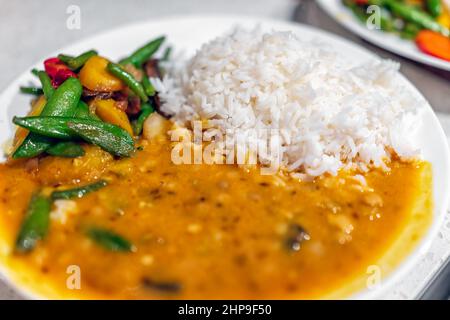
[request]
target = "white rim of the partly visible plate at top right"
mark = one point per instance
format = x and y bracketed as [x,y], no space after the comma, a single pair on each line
[388,41]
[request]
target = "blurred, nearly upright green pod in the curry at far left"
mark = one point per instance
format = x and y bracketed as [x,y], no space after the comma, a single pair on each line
[35,225]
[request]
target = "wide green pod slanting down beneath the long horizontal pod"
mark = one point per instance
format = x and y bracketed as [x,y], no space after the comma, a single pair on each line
[63,103]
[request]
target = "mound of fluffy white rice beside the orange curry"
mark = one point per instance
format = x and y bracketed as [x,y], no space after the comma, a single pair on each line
[330,115]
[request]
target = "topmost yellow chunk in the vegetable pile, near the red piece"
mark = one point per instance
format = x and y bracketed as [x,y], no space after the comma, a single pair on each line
[95,77]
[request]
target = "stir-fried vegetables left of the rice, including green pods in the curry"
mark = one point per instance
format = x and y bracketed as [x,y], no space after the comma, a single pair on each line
[84,98]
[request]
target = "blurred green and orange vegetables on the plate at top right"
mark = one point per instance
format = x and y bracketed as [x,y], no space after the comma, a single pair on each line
[427,22]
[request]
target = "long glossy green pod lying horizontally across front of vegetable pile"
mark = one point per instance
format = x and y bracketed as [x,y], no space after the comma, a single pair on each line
[107,136]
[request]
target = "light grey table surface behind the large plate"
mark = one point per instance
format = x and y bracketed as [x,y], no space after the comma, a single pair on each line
[31,29]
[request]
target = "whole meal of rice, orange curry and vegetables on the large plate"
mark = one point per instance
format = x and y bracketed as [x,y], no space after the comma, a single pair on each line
[148,178]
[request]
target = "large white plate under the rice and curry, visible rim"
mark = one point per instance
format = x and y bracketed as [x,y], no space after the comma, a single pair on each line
[188,33]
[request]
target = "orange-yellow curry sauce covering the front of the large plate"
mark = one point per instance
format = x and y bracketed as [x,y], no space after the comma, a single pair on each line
[211,231]
